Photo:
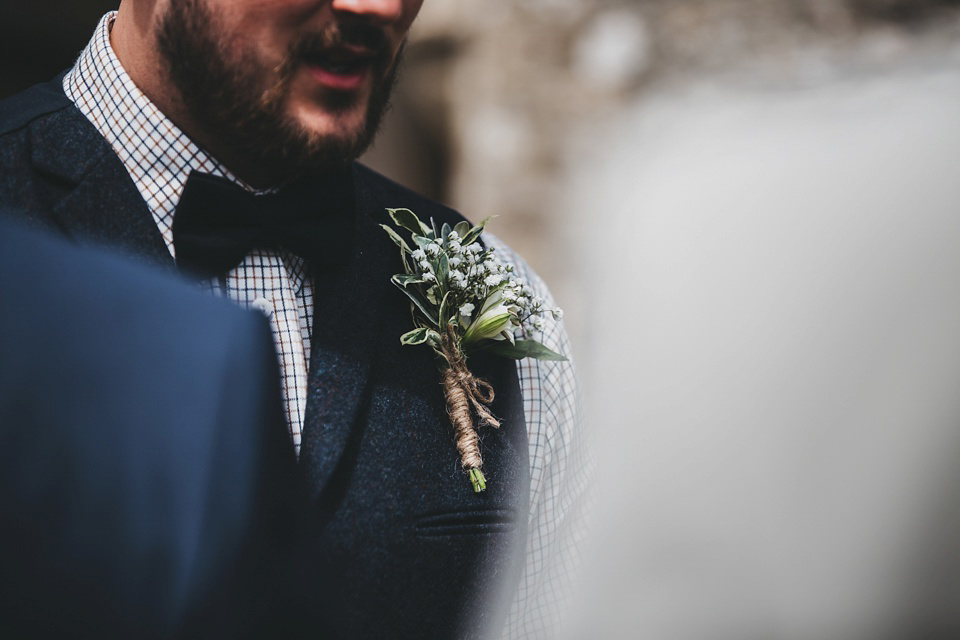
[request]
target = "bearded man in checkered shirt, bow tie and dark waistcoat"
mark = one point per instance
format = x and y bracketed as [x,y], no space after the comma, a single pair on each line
[185,124]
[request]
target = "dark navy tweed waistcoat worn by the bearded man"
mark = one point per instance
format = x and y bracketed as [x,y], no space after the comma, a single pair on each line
[399,546]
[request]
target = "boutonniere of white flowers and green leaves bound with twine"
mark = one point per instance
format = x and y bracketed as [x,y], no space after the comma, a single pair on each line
[464,300]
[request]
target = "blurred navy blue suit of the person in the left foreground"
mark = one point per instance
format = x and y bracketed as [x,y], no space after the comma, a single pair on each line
[144,465]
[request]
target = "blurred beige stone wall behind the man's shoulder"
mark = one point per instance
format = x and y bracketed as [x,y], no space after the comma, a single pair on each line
[505,101]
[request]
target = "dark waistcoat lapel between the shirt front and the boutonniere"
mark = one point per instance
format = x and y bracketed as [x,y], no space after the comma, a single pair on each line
[346,331]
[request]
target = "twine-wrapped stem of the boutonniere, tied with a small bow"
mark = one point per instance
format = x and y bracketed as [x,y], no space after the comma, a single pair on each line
[464,391]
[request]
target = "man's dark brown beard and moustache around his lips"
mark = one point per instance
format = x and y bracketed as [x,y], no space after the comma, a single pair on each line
[225,92]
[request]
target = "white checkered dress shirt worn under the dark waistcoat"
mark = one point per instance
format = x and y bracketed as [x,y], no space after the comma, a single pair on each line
[159,157]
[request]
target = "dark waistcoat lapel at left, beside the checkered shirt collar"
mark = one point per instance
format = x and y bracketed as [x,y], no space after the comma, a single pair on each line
[98,201]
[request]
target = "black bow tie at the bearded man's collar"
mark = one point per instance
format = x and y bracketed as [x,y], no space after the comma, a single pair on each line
[218,222]
